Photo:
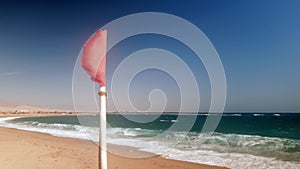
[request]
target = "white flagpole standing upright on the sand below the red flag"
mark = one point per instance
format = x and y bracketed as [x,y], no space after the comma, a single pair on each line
[102,134]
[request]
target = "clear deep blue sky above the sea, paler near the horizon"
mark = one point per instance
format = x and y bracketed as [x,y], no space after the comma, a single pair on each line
[257,41]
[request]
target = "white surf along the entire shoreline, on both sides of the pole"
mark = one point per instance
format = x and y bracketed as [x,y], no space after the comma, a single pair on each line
[191,150]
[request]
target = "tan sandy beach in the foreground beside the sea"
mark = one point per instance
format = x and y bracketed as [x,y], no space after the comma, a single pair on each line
[24,149]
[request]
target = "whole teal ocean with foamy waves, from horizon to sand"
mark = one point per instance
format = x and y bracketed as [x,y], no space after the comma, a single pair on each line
[241,140]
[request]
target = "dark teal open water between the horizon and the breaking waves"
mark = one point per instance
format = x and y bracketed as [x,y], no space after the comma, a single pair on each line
[283,125]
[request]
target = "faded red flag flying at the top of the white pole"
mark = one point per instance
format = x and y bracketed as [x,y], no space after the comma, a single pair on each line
[94,57]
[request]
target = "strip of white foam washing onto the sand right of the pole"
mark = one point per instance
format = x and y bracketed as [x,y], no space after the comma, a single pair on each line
[209,157]
